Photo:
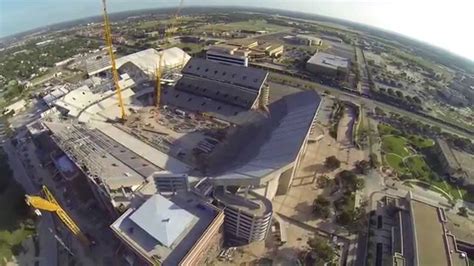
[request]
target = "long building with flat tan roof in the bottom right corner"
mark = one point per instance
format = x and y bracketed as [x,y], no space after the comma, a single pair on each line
[415,233]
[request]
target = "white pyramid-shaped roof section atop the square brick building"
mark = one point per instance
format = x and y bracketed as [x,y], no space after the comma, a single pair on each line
[162,219]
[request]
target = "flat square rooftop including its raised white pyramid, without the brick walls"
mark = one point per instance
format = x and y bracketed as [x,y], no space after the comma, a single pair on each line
[166,230]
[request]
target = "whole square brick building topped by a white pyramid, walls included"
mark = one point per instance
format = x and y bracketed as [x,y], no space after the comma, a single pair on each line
[182,230]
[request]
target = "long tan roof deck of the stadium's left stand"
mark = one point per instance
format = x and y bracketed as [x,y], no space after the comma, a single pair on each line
[100,156]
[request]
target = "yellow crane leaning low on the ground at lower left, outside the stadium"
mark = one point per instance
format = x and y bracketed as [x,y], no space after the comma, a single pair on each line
[50,204]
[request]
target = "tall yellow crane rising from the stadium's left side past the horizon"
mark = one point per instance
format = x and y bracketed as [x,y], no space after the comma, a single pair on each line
[108,41]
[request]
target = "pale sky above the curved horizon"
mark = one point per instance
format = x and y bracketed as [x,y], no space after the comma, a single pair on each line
[446,24]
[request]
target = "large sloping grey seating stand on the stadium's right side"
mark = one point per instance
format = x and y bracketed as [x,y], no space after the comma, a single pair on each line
[273,143]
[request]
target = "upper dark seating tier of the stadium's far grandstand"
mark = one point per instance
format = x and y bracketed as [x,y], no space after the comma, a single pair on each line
[247,77]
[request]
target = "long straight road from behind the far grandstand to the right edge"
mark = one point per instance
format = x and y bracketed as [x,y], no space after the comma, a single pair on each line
[371,103]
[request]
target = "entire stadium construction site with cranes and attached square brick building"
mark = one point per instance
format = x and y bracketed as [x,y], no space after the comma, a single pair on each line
[180,155]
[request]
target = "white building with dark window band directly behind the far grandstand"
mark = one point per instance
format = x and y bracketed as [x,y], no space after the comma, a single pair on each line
[227,54]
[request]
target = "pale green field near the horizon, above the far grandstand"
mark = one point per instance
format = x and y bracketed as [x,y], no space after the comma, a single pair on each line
[251,25]
